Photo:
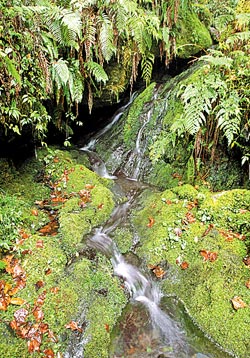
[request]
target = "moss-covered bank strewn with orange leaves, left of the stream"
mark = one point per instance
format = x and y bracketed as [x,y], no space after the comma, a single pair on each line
[49,293]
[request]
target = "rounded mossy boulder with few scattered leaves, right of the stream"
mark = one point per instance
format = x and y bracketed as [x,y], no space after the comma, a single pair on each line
[201,240]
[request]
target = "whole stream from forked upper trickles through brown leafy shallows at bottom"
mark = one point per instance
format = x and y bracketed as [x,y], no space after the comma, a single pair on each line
[152,325]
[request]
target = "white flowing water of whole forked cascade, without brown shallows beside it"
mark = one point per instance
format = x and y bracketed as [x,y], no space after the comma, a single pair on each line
[141,289]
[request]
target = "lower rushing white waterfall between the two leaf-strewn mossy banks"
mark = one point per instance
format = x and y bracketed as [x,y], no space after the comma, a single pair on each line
[144,290]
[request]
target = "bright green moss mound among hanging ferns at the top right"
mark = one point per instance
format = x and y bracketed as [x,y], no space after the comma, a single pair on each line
[191,35]
